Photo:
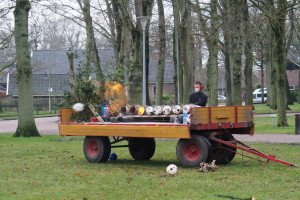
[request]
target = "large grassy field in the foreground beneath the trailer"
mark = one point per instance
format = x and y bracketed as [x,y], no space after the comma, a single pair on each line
[54,167]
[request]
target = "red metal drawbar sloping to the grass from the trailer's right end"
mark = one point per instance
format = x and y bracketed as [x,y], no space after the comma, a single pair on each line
[251,150]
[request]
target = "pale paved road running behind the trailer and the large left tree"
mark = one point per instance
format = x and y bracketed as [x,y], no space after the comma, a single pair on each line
[49,125]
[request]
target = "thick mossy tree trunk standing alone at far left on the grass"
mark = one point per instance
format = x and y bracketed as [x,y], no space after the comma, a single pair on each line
[26,124]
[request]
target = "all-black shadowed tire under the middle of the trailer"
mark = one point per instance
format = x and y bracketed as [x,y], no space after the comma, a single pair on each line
[141,148]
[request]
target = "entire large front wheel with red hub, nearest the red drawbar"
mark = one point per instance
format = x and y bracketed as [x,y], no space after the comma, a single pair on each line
[191,153]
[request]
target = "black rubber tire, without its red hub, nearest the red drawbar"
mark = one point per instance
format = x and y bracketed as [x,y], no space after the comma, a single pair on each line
[200,142]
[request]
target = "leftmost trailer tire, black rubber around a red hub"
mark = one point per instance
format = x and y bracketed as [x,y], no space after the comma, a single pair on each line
[103,152]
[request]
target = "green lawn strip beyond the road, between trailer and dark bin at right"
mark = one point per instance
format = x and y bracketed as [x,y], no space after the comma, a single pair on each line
[264,125]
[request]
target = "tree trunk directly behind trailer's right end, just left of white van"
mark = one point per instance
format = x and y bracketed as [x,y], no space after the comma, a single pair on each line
[248,53]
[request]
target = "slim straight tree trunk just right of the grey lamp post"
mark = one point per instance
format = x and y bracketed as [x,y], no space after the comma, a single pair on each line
[161,55]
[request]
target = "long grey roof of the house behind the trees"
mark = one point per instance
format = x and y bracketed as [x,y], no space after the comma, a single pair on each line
[56,61]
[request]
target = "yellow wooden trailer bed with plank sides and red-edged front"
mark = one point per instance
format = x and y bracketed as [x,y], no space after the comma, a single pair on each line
[236,119]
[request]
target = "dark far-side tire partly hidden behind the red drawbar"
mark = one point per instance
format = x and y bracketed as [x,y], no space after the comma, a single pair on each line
[222,156]
